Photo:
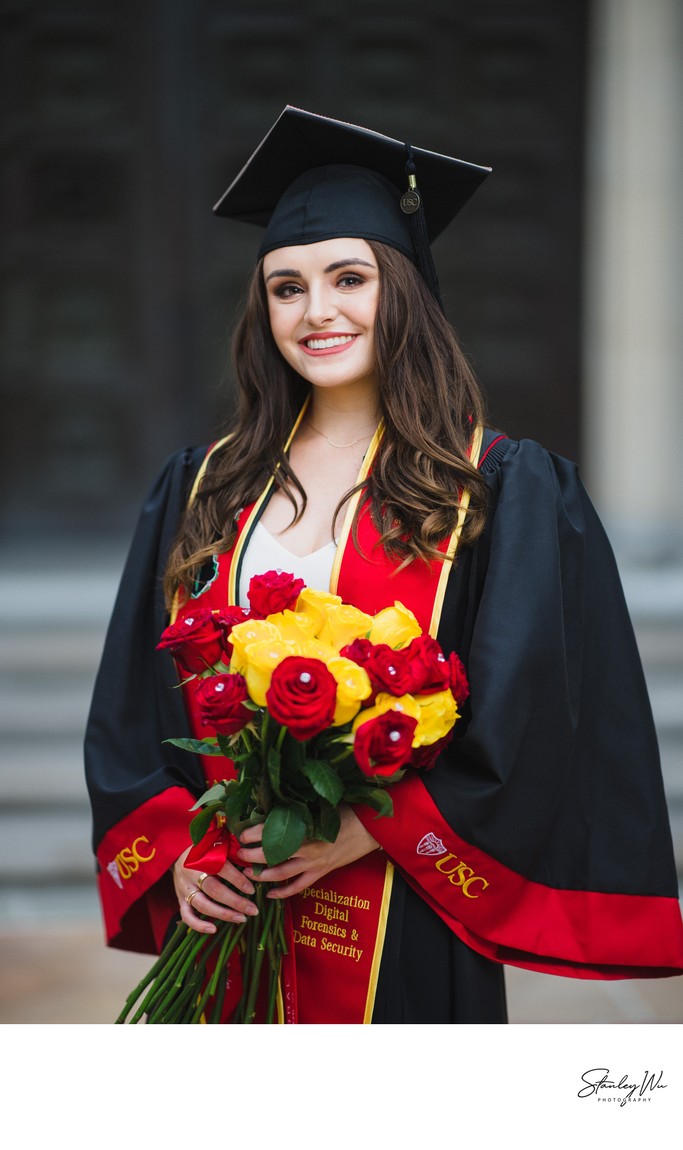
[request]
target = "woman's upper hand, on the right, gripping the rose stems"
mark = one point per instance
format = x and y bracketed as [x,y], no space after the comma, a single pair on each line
[312,861]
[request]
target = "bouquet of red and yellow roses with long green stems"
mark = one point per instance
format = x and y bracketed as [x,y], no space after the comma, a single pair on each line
[314,704]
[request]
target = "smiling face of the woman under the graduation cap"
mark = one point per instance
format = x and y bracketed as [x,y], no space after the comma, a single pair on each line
[323,303]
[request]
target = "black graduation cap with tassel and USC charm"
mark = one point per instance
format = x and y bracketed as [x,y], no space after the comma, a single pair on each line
[316,179]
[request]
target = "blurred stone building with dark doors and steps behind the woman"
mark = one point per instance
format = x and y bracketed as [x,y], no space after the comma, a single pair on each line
[122,125]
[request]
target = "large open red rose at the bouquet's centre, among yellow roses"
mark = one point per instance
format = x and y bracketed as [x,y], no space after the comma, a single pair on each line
[303,696]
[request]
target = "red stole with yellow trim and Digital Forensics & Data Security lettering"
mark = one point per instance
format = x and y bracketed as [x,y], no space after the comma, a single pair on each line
[337,929]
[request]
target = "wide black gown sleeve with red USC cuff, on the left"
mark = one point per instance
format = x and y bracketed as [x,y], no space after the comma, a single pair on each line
[141,789]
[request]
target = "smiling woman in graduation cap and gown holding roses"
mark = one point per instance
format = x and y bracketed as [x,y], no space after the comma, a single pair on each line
[359,462]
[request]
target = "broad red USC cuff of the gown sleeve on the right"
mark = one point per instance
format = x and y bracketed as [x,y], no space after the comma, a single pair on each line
[511,919]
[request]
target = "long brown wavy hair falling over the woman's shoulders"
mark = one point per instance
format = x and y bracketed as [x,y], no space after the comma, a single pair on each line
[429,402]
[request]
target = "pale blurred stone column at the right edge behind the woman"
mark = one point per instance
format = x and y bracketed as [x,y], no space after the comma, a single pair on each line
[633,403]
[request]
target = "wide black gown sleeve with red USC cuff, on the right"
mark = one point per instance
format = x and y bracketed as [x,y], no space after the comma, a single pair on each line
[542,837]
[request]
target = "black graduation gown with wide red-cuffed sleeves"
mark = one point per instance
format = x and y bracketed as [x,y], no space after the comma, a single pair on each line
[554,784]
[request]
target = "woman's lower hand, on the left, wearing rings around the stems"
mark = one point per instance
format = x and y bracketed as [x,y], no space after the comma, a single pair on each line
[218,899]
